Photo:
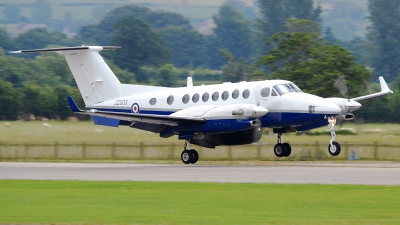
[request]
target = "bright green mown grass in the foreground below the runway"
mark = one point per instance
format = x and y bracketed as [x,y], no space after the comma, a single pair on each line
[75,202]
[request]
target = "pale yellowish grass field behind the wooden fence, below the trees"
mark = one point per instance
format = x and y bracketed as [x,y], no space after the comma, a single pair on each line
[66,132]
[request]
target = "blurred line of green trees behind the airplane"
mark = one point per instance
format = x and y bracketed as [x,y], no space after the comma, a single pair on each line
[285,41]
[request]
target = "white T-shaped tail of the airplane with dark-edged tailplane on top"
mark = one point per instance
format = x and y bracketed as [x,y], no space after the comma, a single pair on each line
[95,80]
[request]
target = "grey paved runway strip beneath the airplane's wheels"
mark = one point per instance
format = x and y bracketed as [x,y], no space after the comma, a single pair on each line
[299,173]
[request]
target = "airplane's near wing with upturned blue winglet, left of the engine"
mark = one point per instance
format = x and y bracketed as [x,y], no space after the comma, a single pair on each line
[140,118]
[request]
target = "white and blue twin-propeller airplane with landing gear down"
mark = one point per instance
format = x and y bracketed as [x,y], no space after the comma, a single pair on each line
[206,115]
